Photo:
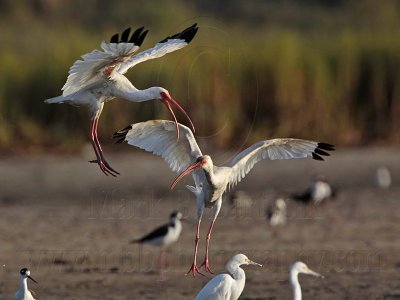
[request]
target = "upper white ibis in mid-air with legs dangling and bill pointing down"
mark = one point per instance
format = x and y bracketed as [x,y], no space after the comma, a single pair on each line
[98,78]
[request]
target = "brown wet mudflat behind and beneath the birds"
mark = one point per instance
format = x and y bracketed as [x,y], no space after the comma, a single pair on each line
[71,225]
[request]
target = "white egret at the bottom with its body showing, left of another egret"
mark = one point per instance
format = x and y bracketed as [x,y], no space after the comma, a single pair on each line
[227,286]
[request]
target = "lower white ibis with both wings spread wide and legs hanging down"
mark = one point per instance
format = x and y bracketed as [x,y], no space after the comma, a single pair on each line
[184,156]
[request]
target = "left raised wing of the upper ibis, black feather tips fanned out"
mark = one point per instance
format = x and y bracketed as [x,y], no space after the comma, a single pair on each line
[100,64]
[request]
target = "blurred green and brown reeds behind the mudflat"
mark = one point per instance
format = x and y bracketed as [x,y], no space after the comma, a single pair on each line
[326,70]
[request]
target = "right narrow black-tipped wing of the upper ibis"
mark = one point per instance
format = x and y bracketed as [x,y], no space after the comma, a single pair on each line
[167,45]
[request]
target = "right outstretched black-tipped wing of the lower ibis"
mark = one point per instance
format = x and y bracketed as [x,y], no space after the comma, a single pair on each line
[273,150]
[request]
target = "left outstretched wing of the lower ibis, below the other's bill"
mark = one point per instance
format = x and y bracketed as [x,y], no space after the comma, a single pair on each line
[159,138]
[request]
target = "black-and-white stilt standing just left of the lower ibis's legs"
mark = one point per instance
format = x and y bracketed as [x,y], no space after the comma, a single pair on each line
[163,236]
